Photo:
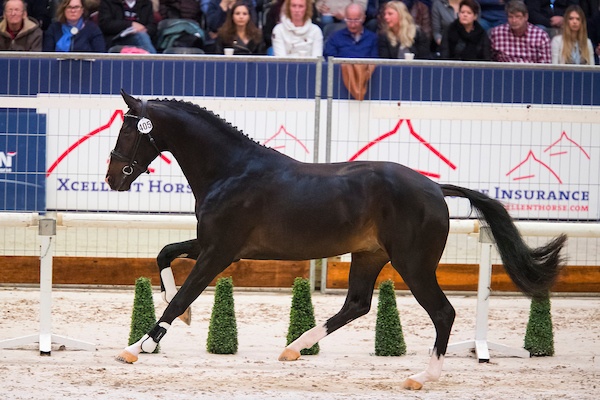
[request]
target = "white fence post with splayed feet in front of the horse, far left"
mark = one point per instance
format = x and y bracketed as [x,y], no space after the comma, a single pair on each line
[45,338]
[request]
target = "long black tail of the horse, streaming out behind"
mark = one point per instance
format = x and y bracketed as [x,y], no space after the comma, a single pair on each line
[532,270]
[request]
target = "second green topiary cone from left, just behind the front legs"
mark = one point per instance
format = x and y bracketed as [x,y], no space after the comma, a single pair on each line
[222,331]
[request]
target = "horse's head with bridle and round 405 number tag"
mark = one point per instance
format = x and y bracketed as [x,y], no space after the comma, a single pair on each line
[135,148]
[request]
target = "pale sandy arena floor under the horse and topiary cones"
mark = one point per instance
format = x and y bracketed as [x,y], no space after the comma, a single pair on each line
[345,368]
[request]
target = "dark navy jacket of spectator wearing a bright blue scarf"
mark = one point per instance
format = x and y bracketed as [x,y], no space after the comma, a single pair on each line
[89,39]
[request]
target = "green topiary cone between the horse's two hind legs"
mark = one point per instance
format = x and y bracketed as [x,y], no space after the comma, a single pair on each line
[389,340]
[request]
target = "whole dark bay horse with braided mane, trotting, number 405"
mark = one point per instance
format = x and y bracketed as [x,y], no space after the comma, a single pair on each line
[256,203]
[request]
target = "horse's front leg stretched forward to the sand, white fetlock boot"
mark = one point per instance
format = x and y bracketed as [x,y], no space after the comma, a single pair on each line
[205,270]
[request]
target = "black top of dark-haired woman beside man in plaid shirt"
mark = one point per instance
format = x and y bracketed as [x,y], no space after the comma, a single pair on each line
[458,44]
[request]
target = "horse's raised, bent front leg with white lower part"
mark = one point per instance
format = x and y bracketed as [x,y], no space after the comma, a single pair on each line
[188,249]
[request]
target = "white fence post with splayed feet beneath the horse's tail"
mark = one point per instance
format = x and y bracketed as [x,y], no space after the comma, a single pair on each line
[480,344]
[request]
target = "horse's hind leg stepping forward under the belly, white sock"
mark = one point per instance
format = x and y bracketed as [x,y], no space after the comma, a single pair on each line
[364,269]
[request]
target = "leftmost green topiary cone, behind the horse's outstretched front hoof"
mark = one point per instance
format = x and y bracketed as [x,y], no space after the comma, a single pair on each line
[143,316]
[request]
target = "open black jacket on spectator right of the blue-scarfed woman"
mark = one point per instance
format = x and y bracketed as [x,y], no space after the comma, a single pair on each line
[112,20]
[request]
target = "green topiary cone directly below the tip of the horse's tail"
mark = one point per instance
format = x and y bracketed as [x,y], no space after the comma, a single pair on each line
[539,337]
